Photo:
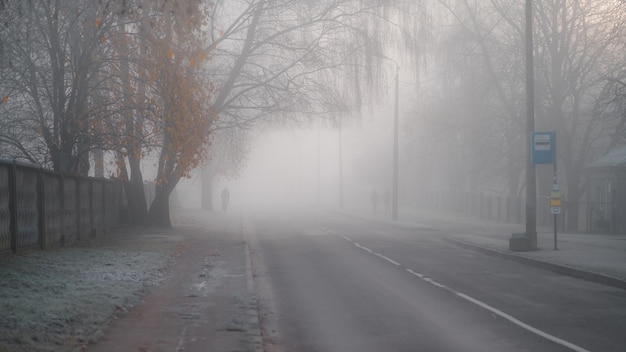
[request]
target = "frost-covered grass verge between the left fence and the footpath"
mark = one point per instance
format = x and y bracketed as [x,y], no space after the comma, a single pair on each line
[61,299]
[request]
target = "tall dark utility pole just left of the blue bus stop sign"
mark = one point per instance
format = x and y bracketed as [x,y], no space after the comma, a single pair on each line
[531,178]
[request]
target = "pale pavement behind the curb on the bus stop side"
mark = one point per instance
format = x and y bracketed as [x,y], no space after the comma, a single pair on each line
[600,258]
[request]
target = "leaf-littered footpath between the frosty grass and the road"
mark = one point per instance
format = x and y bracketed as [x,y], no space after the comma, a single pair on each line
[206,302]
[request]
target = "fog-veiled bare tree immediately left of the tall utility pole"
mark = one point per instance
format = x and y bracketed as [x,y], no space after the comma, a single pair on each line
[475,112]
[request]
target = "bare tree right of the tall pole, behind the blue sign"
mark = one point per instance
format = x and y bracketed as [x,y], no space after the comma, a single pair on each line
[578,43]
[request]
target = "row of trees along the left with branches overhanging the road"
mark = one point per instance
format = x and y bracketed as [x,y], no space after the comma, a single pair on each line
[95,85]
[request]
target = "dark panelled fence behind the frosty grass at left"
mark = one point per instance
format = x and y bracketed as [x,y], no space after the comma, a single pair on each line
[41,208]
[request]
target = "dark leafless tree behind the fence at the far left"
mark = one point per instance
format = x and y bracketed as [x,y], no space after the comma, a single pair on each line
[53,51]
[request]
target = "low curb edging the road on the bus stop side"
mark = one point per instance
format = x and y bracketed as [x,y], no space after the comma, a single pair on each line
[557,268]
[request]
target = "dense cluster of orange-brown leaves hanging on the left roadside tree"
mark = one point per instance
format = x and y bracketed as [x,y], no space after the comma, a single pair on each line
[180,96]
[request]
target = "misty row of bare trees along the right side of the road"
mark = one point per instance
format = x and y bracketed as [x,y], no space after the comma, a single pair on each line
[467,130]
